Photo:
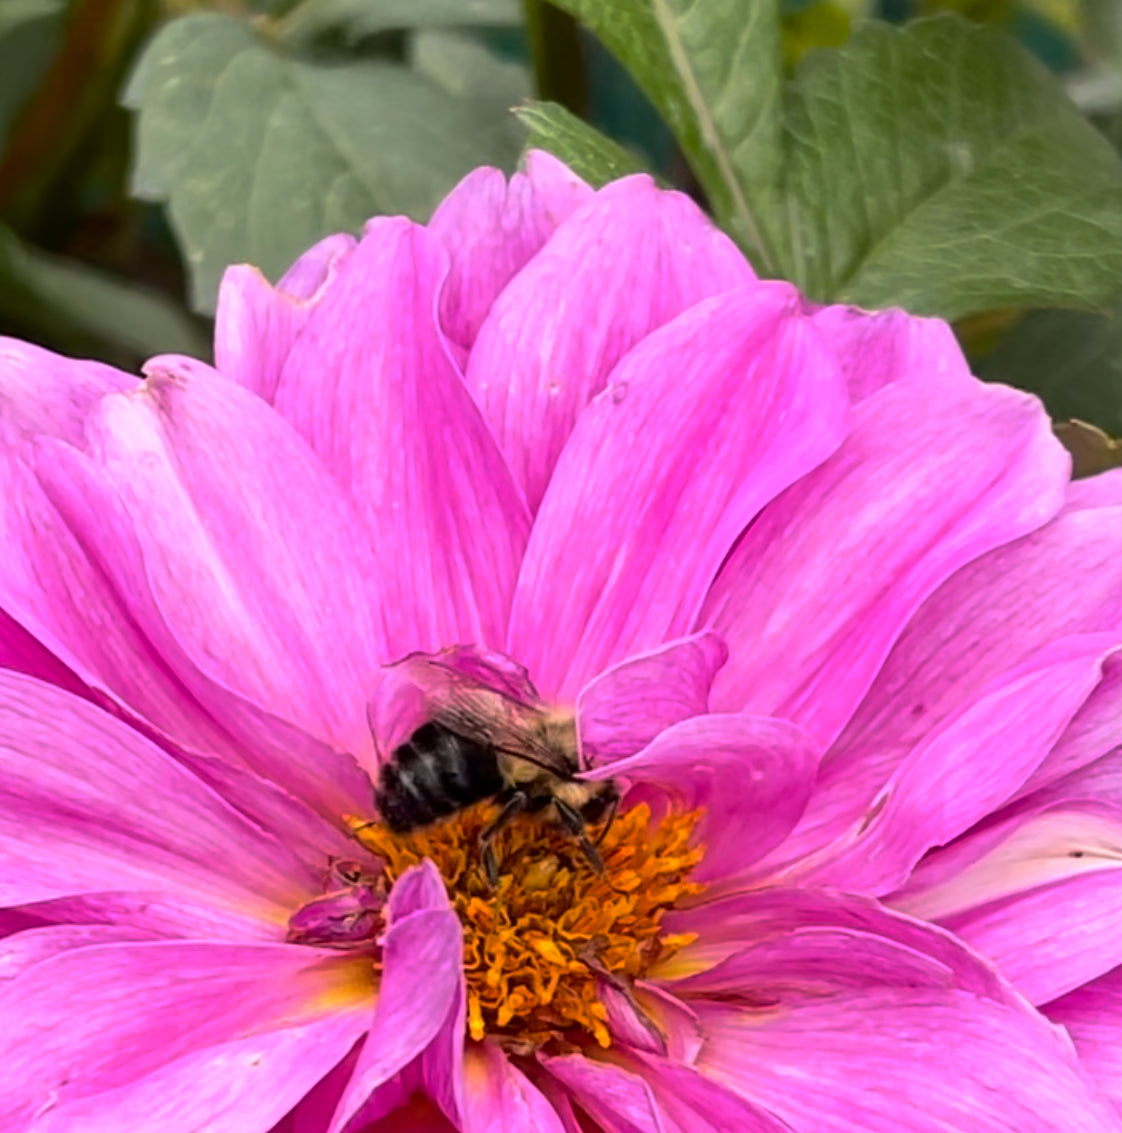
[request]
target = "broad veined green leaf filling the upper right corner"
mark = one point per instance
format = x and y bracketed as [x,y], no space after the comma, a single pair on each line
[941,169]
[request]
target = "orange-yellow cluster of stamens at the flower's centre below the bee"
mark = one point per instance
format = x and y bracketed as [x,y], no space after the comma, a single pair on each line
[538,949]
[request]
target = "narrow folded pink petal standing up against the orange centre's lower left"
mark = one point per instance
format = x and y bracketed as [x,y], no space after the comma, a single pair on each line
[422,987]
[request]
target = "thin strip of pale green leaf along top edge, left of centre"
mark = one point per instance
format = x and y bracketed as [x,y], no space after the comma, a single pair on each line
[368,18]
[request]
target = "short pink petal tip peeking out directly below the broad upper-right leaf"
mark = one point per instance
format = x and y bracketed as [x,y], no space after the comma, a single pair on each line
[879,348]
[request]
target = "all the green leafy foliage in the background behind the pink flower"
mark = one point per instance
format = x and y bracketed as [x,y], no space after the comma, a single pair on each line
[146,146]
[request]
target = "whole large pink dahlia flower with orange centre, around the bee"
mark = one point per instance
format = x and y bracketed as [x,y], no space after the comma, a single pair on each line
[827,608]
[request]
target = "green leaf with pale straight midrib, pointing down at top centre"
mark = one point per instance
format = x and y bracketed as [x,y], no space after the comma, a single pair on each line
[712,67]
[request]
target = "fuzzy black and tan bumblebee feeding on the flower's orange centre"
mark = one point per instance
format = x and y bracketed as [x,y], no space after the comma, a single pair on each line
[482,745]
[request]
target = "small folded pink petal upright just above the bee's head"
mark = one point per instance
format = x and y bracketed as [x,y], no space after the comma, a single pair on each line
[627,706]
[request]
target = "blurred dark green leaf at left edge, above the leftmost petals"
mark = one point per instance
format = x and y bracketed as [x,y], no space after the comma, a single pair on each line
[76,309]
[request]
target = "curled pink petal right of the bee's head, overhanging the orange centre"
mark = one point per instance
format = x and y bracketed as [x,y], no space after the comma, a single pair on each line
[752,777]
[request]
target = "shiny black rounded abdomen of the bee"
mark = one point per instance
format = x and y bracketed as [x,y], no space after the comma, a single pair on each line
[432,776]
